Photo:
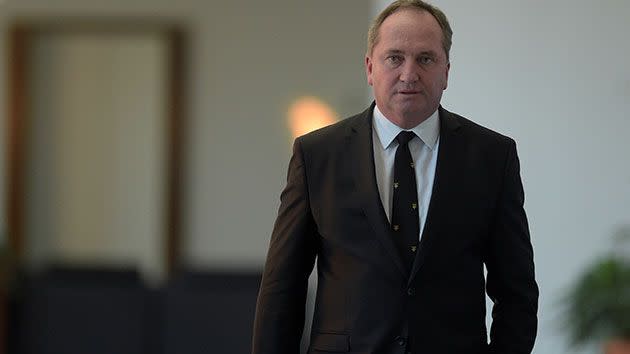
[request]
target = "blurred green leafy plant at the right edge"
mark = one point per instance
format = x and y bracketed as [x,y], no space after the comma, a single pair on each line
[598,305]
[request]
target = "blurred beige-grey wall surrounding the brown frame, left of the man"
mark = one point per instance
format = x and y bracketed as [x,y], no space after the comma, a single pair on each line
[248,61]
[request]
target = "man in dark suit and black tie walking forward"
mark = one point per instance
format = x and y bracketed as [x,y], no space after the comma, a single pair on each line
[402,205]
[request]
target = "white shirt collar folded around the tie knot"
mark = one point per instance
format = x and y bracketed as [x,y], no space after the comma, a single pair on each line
[428,131]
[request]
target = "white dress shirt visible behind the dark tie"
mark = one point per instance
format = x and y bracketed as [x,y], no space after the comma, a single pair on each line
[424,150]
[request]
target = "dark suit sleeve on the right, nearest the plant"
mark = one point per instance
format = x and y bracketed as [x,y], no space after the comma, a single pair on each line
[510,280]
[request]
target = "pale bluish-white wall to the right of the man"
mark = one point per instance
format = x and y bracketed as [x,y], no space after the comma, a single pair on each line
[553,75]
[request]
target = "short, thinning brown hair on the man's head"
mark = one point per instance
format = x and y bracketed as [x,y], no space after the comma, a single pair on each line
[447,32]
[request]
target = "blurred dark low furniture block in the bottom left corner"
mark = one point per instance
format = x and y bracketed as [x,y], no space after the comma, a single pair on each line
[78,311]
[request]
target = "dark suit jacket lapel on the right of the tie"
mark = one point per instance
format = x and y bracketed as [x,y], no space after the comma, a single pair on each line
[450,160]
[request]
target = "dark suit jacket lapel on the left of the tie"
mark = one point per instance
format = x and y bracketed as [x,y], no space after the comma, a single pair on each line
[361,150]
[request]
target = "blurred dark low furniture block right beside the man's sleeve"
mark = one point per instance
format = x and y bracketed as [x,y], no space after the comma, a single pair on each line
[210,313]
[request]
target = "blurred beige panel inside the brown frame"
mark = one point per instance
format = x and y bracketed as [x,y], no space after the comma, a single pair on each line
[96,150]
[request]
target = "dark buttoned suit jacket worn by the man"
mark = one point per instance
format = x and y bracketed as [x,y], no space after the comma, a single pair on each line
[367,302]
